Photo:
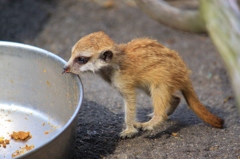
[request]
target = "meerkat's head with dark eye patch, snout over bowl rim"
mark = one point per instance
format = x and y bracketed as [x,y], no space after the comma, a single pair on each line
[90,53]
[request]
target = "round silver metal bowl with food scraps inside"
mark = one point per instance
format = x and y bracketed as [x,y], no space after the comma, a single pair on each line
[36,97]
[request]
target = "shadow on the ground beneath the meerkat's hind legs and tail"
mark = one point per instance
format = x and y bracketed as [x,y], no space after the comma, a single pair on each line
[183,117]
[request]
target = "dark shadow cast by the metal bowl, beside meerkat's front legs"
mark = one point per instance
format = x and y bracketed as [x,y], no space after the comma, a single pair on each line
[98,130]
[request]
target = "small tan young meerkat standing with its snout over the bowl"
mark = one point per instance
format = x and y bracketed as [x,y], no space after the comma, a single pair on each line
[141,63]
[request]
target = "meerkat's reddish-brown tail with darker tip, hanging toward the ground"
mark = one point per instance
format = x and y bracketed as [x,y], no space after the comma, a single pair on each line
[200,110]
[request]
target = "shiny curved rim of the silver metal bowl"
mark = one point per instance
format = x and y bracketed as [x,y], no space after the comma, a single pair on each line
[79,83]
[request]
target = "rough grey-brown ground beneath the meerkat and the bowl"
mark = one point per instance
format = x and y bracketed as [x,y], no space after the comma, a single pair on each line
[55,25]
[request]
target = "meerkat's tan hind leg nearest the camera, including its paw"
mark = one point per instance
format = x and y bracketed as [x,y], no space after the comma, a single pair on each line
[161,98]
